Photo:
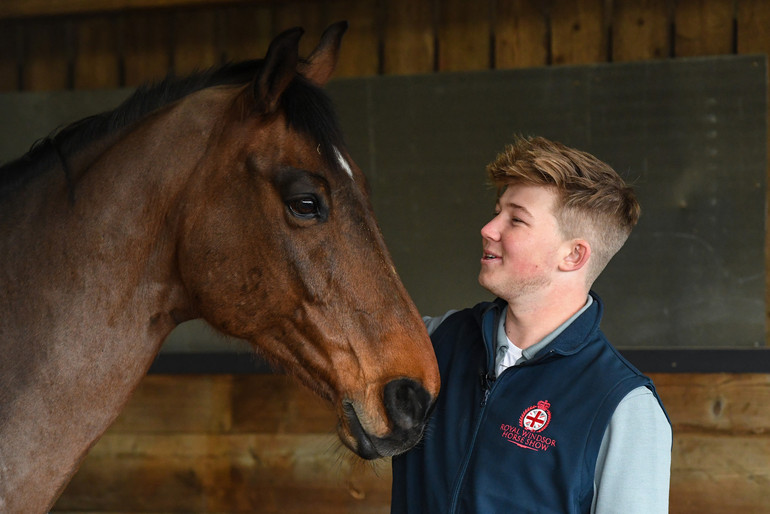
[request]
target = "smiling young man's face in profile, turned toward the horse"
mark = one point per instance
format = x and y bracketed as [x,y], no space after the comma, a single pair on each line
[521,243]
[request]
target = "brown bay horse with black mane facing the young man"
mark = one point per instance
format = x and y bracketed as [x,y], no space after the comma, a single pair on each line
[228,195]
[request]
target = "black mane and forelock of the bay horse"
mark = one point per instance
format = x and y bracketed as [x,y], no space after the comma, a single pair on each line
[308,110]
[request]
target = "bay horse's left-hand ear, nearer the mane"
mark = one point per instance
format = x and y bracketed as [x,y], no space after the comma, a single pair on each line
[277,71]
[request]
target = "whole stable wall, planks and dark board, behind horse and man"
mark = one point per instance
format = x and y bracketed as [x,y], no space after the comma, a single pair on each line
[672,94]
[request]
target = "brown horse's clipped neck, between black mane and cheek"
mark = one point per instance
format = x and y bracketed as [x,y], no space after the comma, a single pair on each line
[92,289]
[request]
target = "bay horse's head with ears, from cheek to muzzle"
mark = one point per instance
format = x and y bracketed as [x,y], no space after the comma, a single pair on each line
[288,254]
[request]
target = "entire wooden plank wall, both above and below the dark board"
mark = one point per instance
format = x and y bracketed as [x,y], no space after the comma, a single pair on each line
[259,443]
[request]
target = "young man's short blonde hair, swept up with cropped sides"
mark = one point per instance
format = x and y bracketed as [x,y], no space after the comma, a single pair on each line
[594,203]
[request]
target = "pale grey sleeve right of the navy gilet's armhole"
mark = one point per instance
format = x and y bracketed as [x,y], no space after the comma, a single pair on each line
[633,468]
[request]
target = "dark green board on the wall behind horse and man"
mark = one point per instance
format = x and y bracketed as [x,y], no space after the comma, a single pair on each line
[690,134]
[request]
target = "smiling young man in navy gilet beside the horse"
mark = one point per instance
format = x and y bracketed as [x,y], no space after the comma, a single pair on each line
[537,411]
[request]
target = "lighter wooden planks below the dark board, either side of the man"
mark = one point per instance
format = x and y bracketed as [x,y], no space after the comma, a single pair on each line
[259,443]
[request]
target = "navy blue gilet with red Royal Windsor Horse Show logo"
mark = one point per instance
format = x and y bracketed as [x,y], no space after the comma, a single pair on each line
[525,442]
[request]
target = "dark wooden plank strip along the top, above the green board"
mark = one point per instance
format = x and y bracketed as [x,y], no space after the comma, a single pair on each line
[48,44]
